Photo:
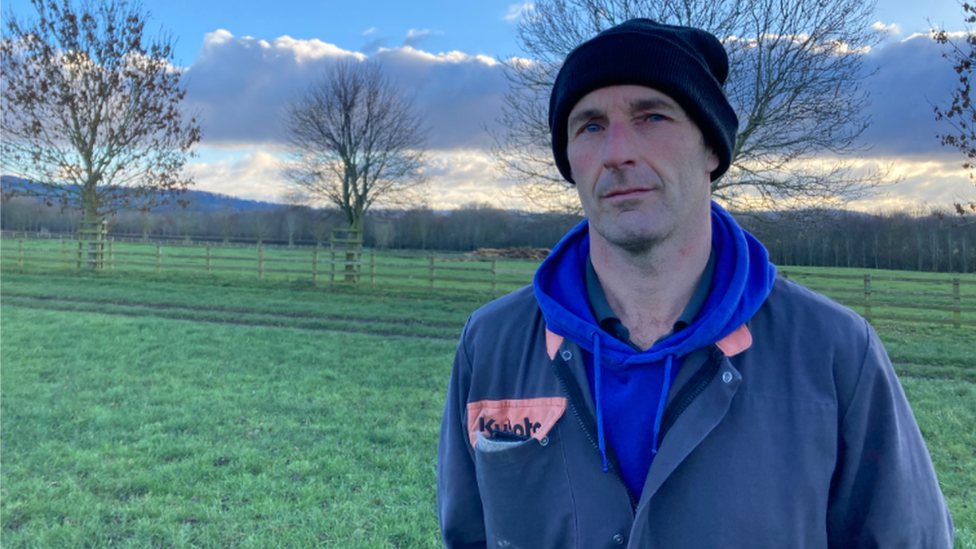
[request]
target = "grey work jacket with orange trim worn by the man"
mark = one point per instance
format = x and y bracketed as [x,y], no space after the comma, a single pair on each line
[791,433]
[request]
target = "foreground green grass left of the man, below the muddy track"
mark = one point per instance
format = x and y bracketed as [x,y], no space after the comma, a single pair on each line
[179,434]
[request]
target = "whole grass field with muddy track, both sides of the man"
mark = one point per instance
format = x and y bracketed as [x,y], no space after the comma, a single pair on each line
[181,411]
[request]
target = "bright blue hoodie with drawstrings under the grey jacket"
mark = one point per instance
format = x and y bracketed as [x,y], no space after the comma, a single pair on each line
[623,378]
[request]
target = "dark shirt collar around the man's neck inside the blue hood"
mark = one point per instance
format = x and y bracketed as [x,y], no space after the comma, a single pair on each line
[610,322]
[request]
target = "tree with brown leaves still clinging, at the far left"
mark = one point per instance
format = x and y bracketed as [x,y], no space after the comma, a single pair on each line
[90,109]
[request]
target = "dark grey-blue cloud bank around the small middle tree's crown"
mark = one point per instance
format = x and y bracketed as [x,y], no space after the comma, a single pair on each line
[239,86]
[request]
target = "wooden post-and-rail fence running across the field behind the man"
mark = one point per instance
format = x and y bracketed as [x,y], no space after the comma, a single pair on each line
[926,299]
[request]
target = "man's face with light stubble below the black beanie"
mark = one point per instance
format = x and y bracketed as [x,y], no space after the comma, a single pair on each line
[641,166]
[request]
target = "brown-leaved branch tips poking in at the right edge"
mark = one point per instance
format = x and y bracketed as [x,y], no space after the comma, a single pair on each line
[960,115]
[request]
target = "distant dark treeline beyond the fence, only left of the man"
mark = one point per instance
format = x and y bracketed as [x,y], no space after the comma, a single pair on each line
[465,229]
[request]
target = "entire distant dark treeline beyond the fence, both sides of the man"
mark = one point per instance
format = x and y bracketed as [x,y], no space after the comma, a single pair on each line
[918,240]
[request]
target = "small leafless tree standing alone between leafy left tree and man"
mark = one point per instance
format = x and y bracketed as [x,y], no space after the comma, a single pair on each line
[356,139]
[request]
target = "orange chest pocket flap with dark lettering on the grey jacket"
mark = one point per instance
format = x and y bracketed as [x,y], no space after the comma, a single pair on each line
[532,417]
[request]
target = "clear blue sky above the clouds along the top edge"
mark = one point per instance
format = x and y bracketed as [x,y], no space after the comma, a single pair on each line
[470,26]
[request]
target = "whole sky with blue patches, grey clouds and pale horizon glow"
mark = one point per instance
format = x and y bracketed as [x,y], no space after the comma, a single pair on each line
[244,61]
